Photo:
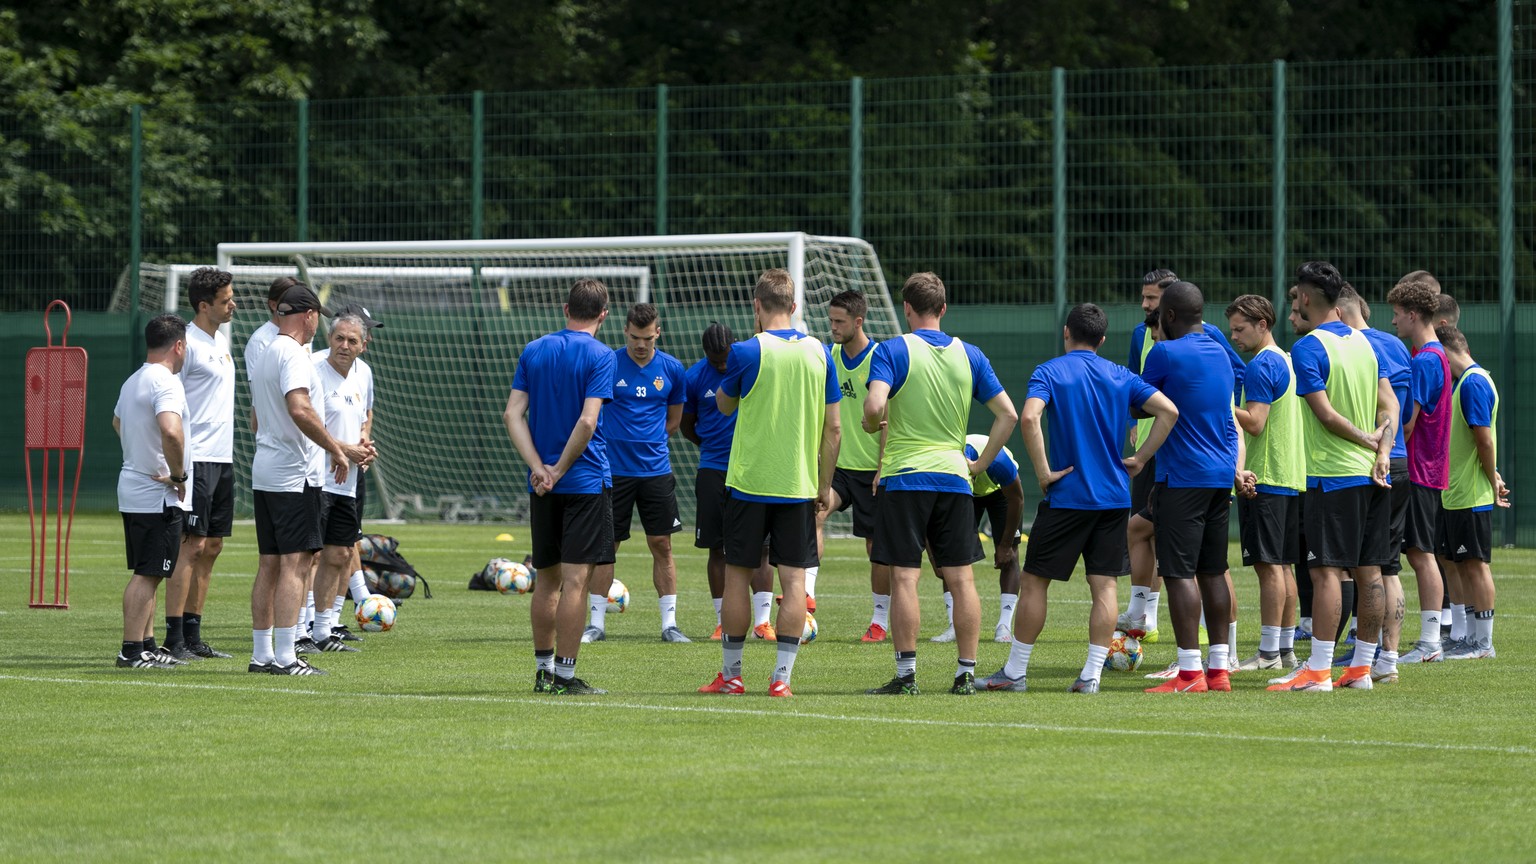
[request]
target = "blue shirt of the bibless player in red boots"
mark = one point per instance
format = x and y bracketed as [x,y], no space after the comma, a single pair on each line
[1202,451]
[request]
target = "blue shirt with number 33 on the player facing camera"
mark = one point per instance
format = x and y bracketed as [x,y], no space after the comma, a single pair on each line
[635,422]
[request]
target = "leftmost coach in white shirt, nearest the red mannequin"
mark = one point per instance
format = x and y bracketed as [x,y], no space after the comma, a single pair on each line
[151,494]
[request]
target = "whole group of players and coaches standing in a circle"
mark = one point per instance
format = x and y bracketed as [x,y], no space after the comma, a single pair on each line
[1345,456]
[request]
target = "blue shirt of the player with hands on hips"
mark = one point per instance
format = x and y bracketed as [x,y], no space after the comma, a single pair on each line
[1088,405]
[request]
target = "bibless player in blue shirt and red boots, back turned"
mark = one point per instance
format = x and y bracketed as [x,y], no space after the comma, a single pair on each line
[1196,474]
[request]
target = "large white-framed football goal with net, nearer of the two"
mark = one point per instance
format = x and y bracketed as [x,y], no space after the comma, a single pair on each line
[457,316]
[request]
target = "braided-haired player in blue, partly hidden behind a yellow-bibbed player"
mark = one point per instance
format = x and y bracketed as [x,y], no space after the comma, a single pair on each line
[712,431]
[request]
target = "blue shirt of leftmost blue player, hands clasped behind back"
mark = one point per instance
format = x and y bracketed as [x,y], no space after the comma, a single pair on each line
[561,373]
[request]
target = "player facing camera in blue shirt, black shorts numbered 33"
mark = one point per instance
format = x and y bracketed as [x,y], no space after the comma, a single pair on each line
[649,391]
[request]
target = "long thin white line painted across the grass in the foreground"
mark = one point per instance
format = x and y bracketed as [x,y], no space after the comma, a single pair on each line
[563,705]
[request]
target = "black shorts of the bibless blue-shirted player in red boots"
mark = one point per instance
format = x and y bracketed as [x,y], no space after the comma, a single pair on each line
[1191,531]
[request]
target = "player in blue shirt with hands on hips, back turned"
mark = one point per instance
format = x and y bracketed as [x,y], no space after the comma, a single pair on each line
[1087,404]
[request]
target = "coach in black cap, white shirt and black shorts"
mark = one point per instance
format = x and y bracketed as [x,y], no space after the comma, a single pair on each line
[290,433]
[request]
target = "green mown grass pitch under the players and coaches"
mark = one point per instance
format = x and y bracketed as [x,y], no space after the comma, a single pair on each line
[431,746]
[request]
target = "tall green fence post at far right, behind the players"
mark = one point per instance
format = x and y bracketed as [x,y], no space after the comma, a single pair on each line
[1506,431]
